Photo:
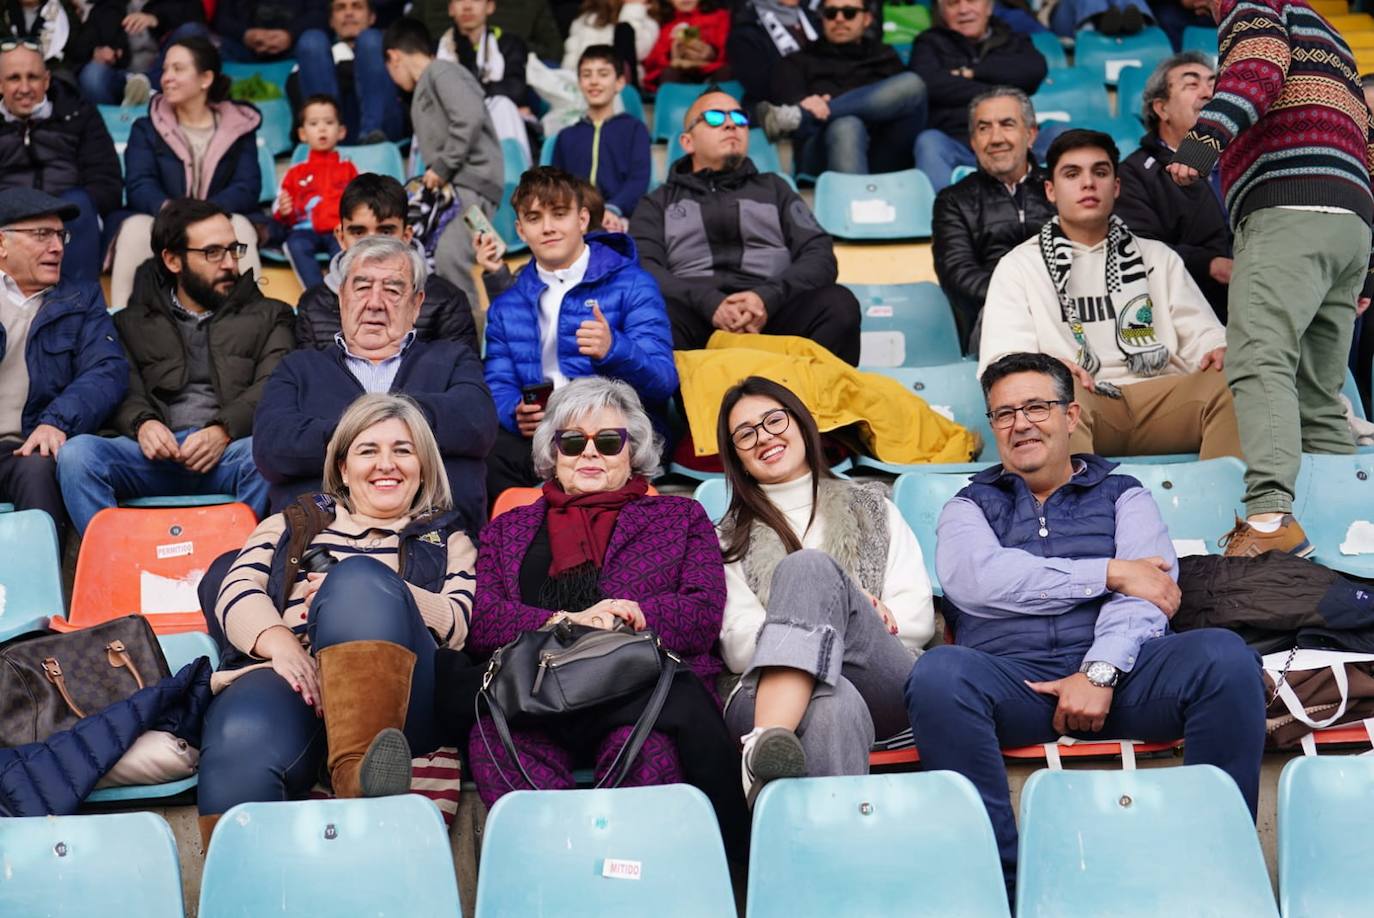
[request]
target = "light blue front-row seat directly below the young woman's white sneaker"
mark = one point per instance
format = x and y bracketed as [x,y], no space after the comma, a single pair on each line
[875,846]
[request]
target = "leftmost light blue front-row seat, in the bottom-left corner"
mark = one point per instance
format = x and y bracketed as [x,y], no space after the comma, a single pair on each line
[90,866]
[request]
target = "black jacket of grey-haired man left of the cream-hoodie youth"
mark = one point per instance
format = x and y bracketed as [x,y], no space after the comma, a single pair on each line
[976,222]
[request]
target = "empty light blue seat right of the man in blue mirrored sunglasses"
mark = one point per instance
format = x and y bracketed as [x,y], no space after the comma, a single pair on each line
[890,205]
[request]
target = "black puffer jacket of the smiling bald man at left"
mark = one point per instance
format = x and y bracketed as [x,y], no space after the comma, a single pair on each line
[69,150]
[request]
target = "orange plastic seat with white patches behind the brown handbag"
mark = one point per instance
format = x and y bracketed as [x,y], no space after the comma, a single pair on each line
[150,561]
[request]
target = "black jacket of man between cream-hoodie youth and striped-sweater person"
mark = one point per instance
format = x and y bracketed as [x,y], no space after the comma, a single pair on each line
[1189,221]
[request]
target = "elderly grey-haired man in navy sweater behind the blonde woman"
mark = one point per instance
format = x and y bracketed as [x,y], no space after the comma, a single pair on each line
[377,351]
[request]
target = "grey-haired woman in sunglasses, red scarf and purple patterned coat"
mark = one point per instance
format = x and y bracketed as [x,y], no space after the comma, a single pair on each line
[600,550]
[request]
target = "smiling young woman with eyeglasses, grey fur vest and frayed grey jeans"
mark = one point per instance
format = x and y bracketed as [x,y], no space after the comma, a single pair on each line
[828,598]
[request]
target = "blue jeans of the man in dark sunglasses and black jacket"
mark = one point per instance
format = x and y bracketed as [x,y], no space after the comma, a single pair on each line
[881,117]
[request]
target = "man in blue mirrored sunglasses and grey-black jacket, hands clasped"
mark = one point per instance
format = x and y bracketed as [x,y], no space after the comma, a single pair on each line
[765,266]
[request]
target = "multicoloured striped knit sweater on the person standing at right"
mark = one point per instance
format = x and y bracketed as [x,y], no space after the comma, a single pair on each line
[1288,119]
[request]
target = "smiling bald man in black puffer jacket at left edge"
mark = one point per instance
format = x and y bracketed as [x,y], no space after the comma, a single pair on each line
[54,141]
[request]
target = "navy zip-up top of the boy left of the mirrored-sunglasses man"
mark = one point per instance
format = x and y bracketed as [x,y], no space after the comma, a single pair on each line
[622,163]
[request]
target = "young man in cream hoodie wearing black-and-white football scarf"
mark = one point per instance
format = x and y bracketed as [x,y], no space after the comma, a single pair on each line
[1122,313]
